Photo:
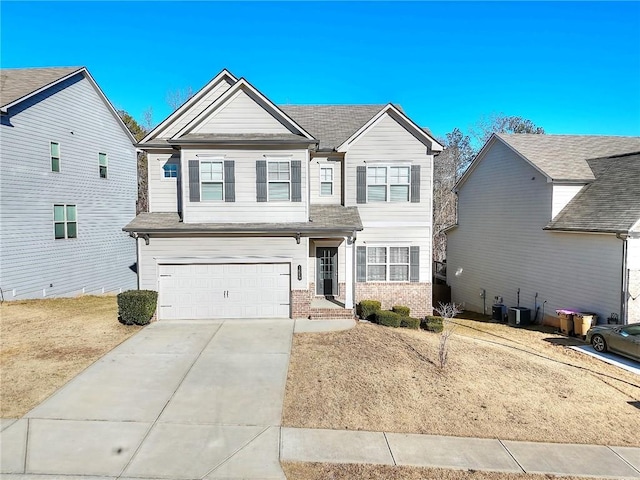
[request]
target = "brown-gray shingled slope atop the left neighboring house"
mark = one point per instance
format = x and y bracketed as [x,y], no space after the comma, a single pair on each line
[16,83]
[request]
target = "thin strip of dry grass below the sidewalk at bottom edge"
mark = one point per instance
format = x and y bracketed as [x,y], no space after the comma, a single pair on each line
[332,471]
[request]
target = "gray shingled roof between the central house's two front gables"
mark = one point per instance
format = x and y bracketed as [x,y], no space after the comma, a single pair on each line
[331,124]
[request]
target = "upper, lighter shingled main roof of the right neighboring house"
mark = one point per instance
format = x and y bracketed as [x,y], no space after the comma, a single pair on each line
[564,157]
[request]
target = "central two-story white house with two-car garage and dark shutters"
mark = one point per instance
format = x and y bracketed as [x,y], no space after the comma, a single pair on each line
[258,210]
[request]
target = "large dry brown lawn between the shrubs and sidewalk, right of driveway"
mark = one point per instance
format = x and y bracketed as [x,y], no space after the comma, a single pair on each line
[500,382]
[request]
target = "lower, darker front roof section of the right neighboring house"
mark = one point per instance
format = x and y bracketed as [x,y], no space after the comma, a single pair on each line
[610,204]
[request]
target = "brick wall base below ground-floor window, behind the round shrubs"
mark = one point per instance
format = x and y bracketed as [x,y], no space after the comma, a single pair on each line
[416,296]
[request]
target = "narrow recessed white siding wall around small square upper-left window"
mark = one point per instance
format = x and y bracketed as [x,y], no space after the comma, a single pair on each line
[163,192]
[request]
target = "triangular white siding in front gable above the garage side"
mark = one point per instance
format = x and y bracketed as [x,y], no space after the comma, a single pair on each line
[240,114]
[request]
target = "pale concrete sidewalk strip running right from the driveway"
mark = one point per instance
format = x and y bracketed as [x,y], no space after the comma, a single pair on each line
[340,446]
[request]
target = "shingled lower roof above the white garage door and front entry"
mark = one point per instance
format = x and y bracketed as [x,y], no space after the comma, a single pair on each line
[324,218]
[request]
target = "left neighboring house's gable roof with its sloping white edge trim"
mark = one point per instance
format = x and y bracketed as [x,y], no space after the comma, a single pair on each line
[19,84]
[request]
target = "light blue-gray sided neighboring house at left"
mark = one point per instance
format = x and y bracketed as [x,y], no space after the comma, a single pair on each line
[68,182]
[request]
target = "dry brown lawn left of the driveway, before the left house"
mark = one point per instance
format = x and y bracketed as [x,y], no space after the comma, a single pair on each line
[45,343]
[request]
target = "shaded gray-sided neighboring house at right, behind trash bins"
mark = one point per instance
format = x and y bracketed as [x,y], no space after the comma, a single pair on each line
[557,216]
